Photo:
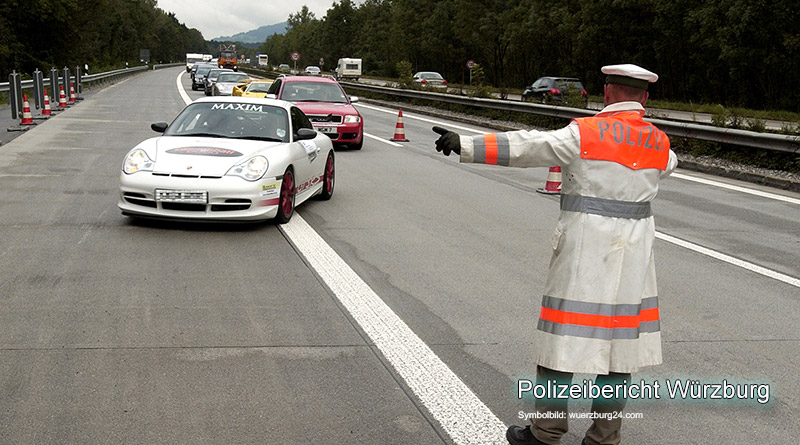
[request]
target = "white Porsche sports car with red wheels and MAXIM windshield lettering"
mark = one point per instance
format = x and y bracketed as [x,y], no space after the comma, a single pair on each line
[228,158]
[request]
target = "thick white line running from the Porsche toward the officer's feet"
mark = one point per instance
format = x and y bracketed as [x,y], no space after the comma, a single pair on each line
[457,409]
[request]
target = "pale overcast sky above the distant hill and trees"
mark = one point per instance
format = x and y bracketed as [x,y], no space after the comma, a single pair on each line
[216,18]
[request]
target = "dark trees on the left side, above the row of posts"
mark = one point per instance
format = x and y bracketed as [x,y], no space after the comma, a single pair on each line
[104,34]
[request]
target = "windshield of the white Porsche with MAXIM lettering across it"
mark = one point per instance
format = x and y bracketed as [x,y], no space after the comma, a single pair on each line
[232,120]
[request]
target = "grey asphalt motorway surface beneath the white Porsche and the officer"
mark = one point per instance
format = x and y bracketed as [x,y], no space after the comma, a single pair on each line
[117,331]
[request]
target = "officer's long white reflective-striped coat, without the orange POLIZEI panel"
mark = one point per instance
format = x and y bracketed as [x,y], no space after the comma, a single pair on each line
[600,307]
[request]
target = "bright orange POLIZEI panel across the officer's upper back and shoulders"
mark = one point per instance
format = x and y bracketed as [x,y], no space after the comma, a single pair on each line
[625,138]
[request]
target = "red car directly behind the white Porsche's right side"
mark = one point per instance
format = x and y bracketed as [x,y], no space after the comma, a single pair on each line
[326,104]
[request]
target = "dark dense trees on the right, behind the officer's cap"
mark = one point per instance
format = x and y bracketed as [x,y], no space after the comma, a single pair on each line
[733,52]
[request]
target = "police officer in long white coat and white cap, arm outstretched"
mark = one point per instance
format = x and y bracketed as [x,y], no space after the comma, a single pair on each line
[599,313]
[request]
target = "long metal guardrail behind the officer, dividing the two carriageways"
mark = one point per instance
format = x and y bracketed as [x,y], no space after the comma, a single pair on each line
[768,141]
